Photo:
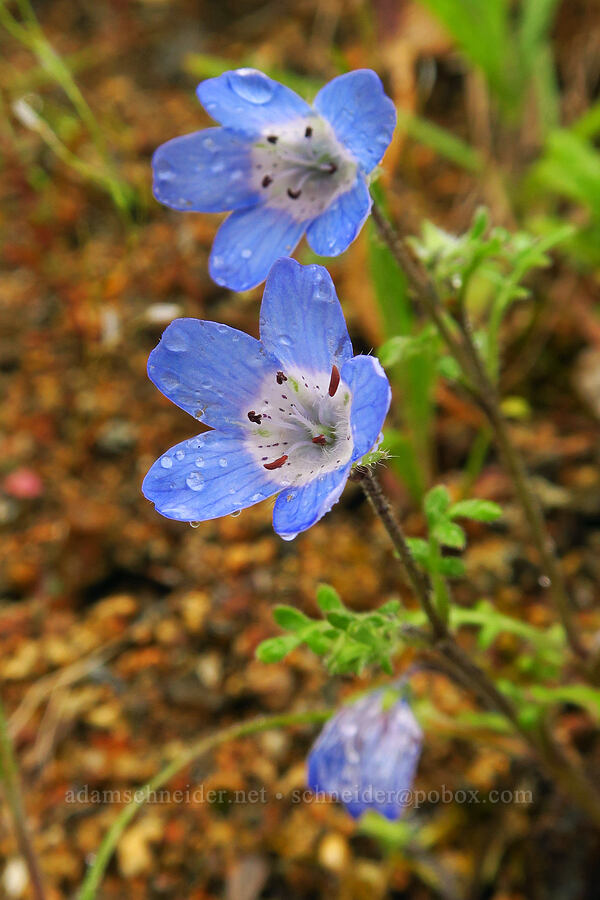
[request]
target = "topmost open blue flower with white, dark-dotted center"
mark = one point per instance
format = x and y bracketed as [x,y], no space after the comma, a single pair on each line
[282,166]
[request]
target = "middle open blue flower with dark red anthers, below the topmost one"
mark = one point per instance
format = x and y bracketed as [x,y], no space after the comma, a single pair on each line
[291,413]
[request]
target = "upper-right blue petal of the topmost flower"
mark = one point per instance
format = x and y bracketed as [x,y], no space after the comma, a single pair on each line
[363,117]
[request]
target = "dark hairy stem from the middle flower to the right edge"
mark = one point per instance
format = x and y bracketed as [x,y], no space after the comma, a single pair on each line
[568,774]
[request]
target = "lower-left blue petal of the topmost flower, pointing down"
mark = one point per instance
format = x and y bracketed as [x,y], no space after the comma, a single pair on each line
[248,243]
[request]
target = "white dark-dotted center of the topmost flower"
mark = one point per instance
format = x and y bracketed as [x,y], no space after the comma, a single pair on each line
[300,166]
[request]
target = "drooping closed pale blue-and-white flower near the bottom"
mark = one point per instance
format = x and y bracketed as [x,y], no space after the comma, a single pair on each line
[367,755]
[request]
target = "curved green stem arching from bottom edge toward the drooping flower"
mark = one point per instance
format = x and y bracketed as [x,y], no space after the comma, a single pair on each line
[111,839]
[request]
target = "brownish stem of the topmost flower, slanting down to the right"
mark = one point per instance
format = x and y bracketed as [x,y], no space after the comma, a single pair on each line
[459,340]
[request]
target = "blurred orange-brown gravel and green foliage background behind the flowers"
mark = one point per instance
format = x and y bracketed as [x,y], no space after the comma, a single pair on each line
[123,635]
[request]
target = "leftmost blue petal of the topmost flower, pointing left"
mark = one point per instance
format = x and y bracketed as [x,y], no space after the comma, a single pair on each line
[207,171]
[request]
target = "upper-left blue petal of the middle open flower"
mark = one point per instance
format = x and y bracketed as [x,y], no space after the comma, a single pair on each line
[210,370]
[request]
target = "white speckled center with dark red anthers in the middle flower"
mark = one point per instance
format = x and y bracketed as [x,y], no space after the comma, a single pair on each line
[300,426]
